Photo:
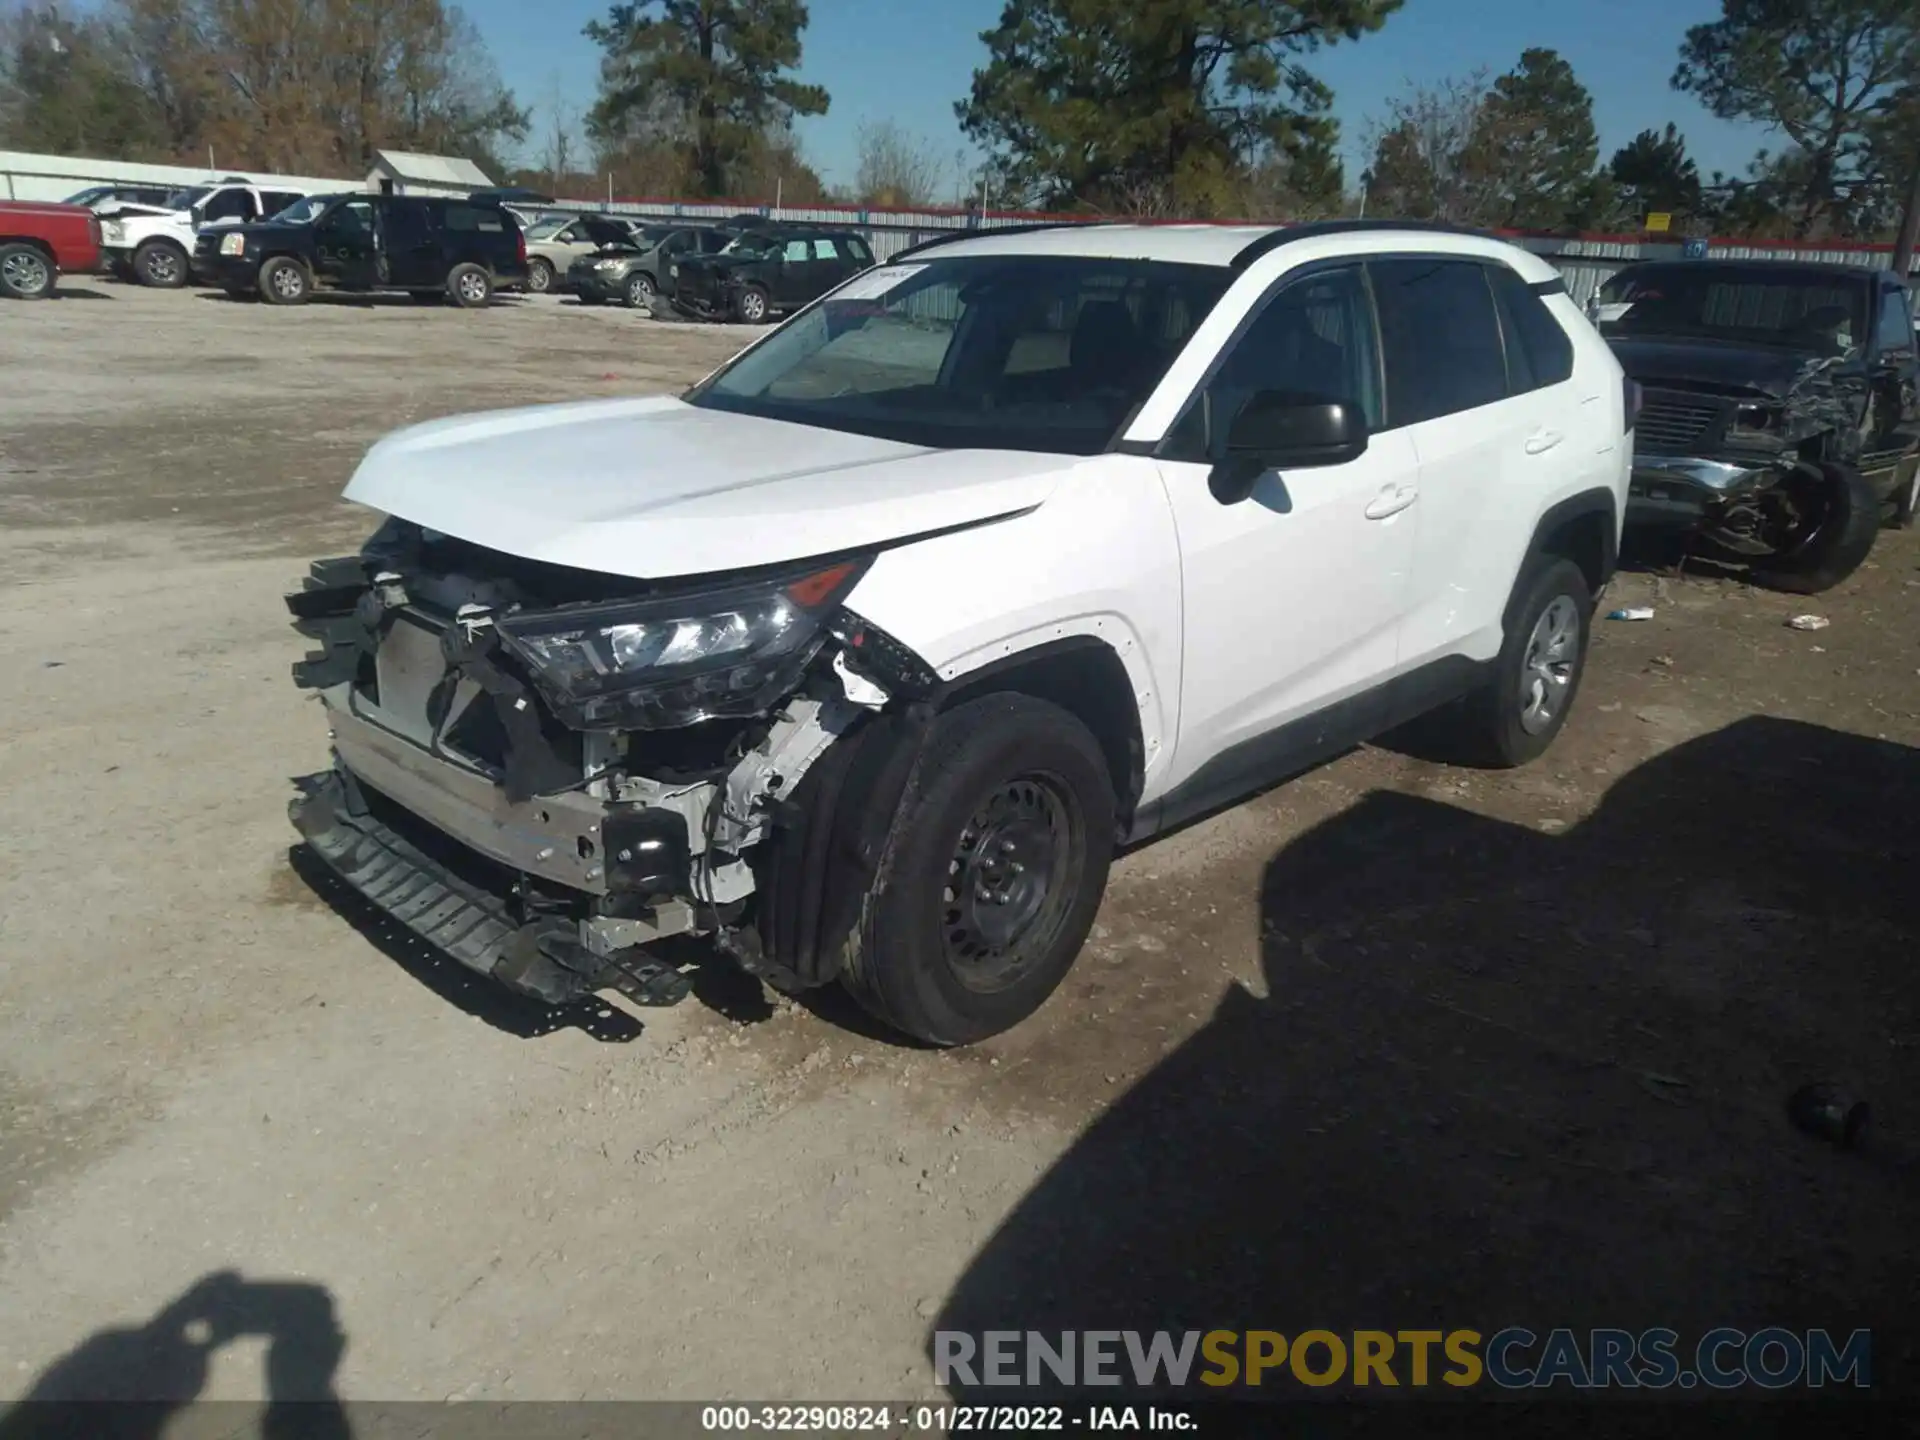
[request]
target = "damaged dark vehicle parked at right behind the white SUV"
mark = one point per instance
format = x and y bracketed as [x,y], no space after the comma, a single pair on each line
[1779,420]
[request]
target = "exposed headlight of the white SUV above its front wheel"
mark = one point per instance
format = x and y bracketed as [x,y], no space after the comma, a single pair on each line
[675,661]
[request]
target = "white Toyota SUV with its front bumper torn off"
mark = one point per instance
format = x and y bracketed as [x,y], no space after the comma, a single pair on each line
[867,654]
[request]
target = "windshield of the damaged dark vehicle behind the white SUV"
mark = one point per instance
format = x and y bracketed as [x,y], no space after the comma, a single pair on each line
[1739,304]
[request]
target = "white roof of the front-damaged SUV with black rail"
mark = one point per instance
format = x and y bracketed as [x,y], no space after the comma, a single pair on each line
[1230,247]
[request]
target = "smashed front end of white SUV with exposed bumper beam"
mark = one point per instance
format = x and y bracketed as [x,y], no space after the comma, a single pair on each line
[546,773]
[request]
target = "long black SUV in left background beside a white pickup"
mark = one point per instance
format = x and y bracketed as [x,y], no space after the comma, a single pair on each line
[425,245]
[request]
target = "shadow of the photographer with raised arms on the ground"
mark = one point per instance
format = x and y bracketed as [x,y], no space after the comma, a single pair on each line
[128,1383]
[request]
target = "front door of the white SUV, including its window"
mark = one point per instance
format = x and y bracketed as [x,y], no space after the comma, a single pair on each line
[1293,598]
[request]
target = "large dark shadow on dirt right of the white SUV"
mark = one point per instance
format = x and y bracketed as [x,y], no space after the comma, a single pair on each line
[1506,1078]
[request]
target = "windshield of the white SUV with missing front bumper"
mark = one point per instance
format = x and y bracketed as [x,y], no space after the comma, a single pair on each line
[1007,352]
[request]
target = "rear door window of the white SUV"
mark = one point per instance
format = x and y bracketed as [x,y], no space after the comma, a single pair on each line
[1441,339]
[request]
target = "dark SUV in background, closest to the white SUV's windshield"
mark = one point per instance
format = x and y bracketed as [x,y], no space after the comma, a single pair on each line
[767,272]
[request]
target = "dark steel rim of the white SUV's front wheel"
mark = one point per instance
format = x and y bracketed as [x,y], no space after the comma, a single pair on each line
[1009,882]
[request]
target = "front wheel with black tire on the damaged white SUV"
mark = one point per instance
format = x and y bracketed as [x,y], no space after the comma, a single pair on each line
[1007,784]
